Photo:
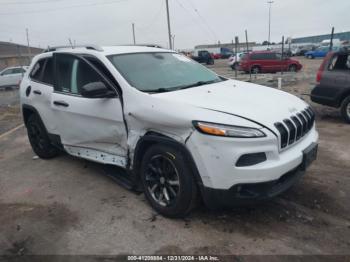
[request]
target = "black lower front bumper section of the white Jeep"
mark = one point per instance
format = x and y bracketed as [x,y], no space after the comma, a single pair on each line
[248,194]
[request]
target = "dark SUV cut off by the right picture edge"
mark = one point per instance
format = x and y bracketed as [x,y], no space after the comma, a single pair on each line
[333,83]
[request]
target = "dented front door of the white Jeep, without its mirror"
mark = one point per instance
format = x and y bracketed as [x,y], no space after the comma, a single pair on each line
[91,128]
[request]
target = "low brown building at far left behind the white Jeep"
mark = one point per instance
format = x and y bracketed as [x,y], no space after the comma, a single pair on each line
[12,54]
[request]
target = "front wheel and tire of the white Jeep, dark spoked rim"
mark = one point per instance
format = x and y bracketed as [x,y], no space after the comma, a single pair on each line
[164,167]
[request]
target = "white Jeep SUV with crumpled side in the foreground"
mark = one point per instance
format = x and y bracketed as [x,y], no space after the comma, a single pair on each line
[178,129]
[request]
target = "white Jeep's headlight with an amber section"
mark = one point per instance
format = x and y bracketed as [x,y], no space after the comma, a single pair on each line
[226,130]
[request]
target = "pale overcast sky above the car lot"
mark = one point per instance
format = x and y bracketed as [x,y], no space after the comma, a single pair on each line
[193,22]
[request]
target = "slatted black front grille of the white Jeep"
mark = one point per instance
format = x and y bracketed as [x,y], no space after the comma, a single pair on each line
[295,127]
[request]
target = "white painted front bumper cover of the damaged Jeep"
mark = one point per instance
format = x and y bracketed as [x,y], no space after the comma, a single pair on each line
[216,158]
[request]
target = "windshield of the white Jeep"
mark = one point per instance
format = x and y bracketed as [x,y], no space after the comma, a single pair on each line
[162,72]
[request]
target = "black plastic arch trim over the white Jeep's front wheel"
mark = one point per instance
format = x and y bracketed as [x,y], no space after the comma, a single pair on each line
[152,138]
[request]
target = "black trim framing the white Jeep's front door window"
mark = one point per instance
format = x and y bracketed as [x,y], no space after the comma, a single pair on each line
[80,56]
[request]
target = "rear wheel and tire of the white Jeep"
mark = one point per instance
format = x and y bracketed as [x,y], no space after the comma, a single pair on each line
[39,139]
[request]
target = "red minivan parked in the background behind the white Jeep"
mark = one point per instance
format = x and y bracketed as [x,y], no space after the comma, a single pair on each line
[268,62]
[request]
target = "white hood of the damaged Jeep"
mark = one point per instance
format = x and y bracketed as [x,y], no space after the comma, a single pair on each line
[257,103]
